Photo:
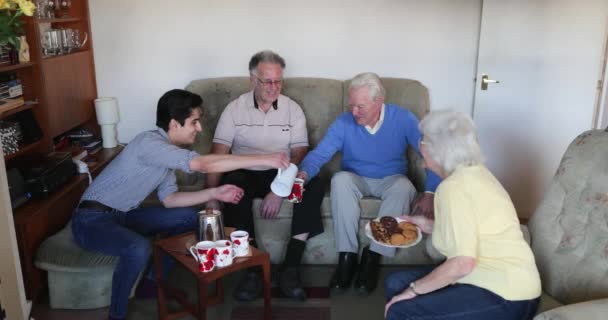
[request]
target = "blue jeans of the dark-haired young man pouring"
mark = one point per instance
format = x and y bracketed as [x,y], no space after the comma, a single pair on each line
[123,234]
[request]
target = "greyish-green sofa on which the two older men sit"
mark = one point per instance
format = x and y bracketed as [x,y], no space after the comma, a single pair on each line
[322,100]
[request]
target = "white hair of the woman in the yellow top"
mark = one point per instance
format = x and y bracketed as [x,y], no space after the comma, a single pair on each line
[450,139]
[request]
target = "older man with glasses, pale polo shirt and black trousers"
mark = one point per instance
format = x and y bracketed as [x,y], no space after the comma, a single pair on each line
[262,121]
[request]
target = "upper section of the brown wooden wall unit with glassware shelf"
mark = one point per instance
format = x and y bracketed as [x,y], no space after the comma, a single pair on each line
[59,88]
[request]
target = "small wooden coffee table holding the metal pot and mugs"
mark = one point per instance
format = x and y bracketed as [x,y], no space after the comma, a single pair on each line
[176,247]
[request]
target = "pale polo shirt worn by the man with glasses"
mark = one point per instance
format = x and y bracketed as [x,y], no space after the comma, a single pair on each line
[249,130]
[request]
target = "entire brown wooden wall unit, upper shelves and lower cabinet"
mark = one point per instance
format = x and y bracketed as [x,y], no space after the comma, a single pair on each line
[59,90]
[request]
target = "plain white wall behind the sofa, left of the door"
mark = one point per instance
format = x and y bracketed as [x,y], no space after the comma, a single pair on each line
[146,47]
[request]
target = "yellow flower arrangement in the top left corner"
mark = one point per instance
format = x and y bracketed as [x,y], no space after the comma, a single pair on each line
[11,26]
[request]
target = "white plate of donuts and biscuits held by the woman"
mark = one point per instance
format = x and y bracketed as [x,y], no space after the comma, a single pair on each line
[393,232]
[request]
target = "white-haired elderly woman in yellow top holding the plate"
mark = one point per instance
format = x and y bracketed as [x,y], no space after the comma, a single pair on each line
[489,271]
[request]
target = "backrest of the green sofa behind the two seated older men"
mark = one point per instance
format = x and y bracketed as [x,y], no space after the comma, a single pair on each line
[322,100]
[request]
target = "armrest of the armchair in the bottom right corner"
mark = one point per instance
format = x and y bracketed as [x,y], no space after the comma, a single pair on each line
[588,310]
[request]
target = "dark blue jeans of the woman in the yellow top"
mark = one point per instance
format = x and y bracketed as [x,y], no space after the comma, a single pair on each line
[458,301]
